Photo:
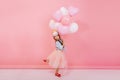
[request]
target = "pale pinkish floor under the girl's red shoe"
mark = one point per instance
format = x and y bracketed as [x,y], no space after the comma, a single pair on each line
[46,74]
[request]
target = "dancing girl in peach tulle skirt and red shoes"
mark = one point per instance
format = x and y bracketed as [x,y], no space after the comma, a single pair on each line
[57,58]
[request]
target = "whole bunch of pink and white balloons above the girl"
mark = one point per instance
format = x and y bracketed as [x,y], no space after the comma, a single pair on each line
[63,22]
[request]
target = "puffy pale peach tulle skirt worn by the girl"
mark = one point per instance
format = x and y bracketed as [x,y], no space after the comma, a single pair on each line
[57,59]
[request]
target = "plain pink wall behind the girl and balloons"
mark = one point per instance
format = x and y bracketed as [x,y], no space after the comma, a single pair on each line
[25,38]
